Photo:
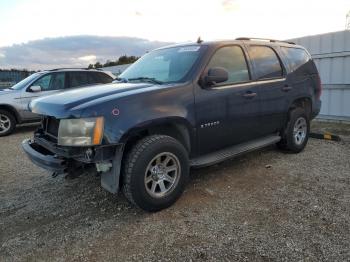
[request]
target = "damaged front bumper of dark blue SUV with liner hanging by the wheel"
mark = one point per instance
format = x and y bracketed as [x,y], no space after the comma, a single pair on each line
[65,160]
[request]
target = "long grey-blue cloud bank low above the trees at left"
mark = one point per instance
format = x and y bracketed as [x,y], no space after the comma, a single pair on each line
[72,51]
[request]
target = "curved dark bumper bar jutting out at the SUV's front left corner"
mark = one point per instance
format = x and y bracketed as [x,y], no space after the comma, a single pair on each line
[43,158]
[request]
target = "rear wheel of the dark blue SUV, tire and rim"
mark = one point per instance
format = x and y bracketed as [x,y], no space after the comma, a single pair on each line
[296,133]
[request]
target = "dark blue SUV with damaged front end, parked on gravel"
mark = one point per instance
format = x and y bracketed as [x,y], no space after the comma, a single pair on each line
[181,106]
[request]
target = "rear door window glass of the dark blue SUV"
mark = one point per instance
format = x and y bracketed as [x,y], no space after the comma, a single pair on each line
[267,64]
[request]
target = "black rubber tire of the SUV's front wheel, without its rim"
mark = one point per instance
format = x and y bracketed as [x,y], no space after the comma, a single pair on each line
[137,161]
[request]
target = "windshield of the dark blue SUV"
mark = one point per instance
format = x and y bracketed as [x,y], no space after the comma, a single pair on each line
[163,65]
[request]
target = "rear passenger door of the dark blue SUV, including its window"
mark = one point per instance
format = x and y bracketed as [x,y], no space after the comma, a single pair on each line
[270,77]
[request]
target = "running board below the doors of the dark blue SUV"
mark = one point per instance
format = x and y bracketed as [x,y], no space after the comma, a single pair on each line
[233,151]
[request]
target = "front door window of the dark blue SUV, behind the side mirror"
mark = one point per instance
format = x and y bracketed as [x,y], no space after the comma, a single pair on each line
[232,59]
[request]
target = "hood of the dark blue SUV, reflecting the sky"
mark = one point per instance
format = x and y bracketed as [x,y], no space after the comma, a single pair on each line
[70,104]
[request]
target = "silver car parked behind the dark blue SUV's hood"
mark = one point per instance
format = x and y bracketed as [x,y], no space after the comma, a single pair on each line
[14,101]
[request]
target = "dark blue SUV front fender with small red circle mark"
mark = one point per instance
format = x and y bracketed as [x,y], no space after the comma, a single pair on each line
[135,112]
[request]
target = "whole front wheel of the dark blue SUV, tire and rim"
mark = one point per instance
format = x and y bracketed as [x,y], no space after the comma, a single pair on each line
[155,172]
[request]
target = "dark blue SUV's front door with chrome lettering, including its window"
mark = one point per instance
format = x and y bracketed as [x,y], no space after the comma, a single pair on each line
[227,113]
